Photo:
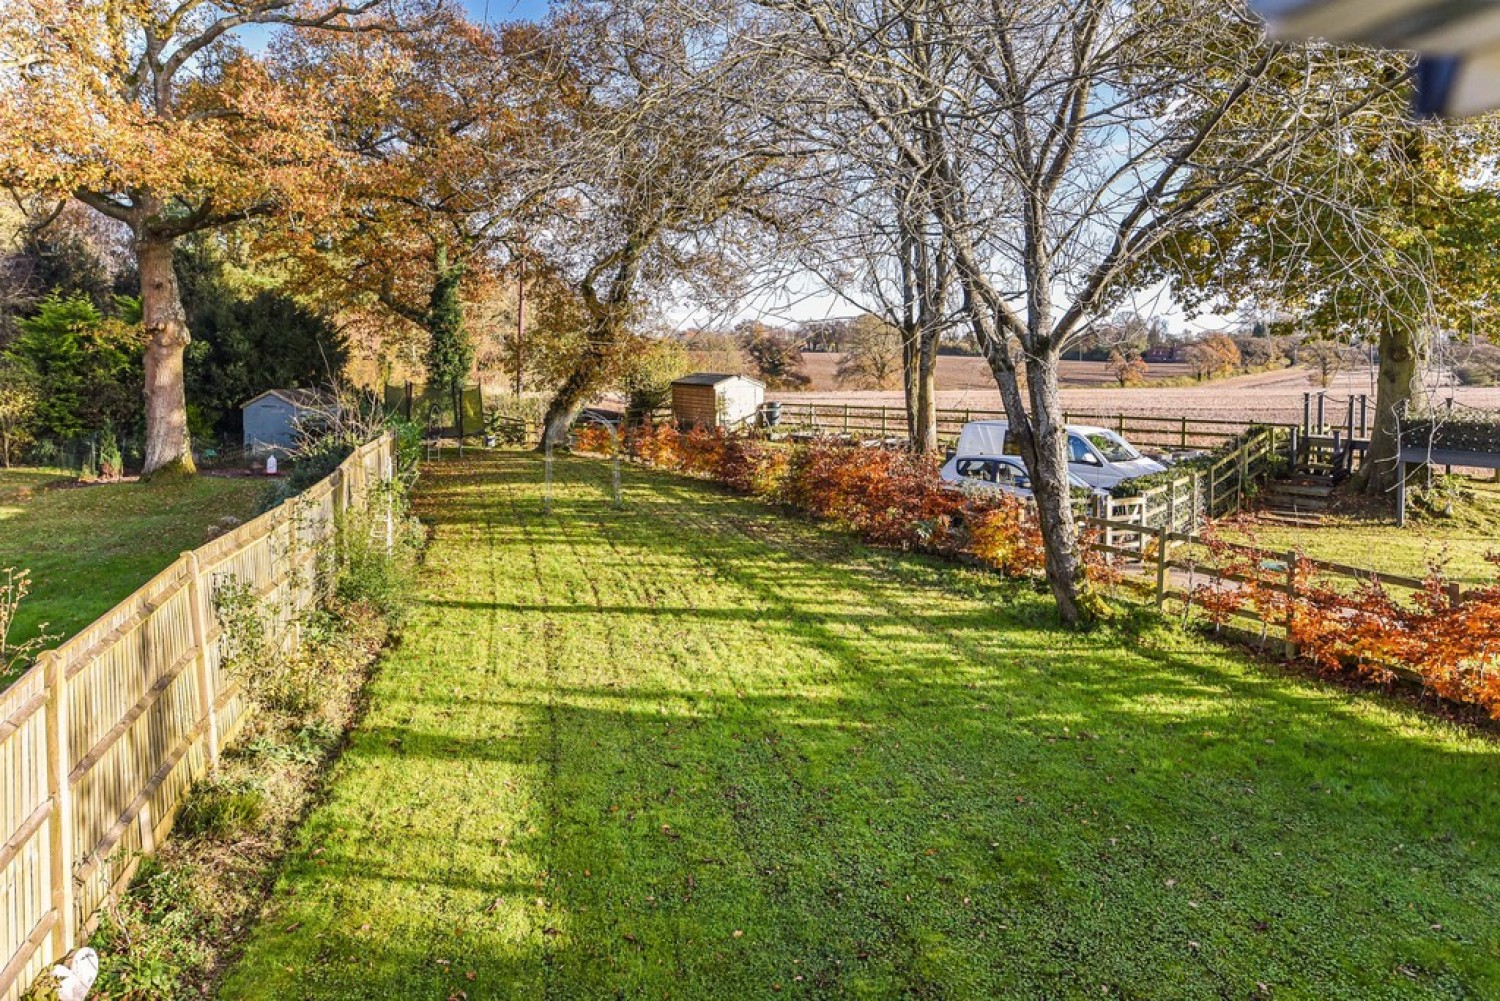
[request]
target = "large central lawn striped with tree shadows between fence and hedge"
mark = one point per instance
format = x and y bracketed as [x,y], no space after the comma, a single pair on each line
[691,750]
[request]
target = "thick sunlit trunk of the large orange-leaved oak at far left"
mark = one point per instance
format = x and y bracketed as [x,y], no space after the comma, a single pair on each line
[167,445]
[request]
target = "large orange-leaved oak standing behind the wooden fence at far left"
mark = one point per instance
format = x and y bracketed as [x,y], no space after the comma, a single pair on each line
[152,113]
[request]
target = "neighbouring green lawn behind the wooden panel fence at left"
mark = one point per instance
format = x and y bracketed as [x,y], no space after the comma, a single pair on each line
[89,547]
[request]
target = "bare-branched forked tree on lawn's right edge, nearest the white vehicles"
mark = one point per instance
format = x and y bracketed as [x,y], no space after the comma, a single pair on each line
[1057,146]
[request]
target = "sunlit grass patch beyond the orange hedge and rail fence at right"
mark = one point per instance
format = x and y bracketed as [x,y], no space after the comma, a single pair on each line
[1459,540]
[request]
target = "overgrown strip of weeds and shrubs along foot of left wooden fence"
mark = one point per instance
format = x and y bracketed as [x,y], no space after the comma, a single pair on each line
[185,915]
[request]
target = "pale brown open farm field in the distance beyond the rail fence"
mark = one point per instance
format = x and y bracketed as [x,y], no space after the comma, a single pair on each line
[1268,397]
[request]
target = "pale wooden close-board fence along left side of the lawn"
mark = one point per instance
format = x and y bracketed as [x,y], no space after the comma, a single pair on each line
[103,738]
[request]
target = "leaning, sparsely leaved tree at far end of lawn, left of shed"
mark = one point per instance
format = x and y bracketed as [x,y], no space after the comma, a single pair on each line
[659,178]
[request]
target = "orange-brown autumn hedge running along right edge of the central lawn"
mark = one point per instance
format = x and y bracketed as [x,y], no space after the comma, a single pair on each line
[1447,642]
